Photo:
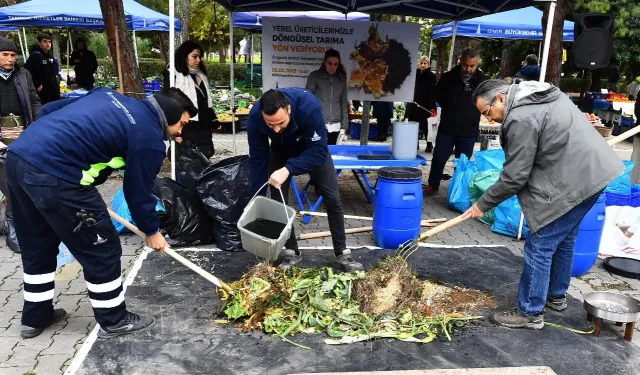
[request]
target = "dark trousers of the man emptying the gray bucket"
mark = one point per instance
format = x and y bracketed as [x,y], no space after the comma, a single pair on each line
[326,183]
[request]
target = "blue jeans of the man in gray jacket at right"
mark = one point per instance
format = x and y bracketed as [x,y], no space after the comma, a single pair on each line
[548,259]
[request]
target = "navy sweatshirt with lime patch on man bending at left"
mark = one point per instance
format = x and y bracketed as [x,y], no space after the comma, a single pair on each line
[82,140]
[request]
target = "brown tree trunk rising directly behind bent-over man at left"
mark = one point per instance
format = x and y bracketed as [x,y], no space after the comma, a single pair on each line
[113,15]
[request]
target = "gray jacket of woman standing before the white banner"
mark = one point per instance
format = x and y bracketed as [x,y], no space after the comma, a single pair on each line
[331,91]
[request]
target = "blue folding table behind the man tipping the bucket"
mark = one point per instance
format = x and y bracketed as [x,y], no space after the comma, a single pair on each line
[358,159]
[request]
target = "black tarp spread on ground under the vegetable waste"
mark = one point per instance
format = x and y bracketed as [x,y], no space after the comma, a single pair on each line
[186,341]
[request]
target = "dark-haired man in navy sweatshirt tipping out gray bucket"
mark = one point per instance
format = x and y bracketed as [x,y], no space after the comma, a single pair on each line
[292,119]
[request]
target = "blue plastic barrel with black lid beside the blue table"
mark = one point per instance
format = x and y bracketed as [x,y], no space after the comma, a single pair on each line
[398,206]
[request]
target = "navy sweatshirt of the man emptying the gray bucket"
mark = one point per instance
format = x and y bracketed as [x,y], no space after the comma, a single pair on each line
[304,139]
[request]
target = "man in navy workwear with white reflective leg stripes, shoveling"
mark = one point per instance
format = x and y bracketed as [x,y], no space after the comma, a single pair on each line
[52,170]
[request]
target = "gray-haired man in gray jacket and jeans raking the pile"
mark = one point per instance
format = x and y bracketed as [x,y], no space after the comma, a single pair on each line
[558,165]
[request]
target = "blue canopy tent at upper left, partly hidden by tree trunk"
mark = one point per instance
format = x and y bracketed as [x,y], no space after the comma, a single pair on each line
[81,14]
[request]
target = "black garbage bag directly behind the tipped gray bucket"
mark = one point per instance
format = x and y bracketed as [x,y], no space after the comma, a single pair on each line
[225,191]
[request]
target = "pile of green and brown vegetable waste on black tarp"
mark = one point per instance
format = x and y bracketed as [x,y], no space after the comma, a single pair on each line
[386,302]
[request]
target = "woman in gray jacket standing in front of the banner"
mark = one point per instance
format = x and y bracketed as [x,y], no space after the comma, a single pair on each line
[329,85]
